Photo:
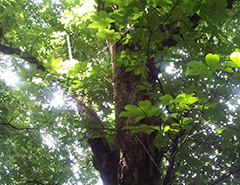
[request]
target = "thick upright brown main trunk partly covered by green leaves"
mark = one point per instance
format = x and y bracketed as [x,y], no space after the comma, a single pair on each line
[138,155]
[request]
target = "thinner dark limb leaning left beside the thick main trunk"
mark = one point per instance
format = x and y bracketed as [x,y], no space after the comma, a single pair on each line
[104,160]
